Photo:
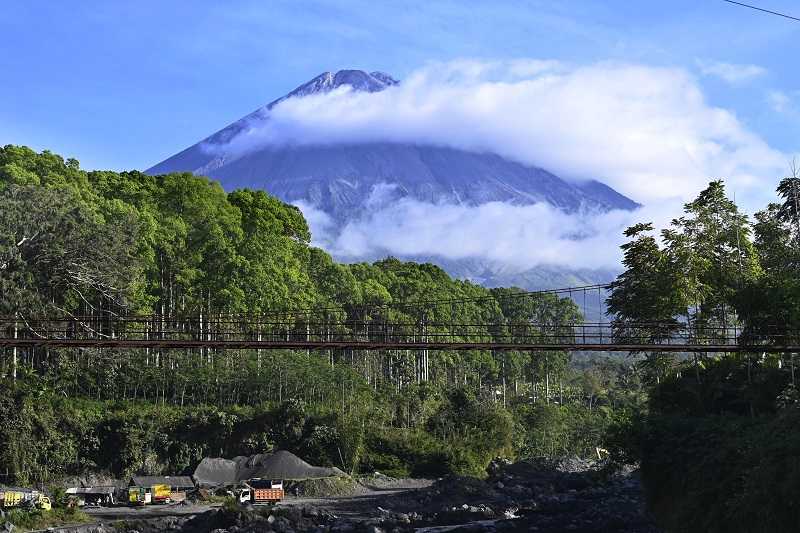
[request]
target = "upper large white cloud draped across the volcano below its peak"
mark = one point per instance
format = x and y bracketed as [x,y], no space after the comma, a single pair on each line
[648,132]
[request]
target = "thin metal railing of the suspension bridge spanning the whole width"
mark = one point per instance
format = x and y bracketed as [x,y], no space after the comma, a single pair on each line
[267,332]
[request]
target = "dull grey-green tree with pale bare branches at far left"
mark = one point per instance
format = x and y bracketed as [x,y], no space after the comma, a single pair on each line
[57,256]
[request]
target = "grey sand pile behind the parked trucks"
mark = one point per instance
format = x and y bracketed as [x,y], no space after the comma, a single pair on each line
[279,465]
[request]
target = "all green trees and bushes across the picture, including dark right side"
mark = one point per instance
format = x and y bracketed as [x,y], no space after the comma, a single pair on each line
[715,434]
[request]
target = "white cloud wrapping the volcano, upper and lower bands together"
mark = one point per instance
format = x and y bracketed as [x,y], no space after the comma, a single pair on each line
[648,132]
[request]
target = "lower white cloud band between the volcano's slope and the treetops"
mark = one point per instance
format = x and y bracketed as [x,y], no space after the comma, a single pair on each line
[516,236]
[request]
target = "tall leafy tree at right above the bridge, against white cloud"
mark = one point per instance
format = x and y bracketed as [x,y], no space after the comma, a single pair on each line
[692,284]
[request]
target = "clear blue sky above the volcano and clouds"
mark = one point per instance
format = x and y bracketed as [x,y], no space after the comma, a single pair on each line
[124,85]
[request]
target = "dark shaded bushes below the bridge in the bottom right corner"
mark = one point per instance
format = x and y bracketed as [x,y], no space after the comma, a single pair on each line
[722,453]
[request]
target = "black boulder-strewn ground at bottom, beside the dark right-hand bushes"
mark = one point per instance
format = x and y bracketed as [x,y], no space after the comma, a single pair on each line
[569,495]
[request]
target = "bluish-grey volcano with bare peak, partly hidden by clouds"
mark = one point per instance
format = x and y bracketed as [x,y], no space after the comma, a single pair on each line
[342,179]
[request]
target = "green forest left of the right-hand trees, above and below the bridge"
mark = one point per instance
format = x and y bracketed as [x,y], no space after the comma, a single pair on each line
[94,244]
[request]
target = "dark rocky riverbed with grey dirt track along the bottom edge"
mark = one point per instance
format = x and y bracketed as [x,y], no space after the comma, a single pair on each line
[570,495]
